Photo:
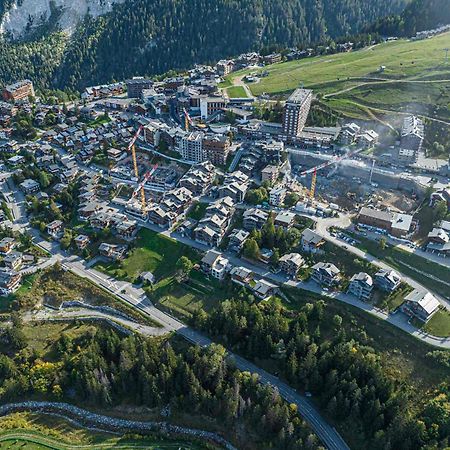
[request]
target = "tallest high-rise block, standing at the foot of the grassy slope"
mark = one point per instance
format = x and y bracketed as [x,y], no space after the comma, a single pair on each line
[296,112]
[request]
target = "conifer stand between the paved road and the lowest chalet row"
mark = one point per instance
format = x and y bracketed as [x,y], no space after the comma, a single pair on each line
[345,375]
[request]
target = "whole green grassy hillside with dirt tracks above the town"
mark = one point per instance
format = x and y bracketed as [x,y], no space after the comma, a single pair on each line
[416,78]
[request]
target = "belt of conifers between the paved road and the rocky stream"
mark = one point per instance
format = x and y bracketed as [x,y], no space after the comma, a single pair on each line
[102,369]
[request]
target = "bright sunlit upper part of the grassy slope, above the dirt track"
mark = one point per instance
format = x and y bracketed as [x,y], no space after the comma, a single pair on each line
[322,72]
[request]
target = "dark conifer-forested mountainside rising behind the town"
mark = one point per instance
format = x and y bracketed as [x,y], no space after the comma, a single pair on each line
[142,37]
